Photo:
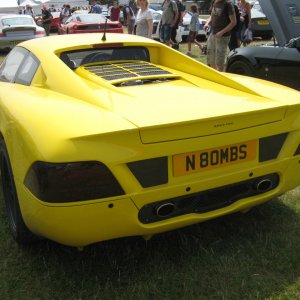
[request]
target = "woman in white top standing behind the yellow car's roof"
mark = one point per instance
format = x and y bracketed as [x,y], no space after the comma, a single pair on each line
[144,19]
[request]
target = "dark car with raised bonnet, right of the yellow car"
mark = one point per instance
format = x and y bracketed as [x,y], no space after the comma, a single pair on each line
[280,61]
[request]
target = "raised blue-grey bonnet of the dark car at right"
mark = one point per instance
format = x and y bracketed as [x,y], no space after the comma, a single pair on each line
[284,17]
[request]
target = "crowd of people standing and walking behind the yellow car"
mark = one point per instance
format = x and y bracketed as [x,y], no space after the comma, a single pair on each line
[227,23]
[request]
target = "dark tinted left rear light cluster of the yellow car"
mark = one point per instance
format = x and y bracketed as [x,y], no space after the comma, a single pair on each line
[69,182]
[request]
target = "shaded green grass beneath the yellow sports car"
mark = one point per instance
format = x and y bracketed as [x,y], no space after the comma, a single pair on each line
[241,256]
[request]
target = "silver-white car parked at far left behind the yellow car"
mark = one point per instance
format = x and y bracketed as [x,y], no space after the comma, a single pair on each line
[17,28]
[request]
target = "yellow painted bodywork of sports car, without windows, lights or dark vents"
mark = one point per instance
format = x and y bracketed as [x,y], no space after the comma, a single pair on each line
[70,115]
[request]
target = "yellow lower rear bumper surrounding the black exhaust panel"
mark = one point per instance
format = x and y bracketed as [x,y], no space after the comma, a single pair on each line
[86,223]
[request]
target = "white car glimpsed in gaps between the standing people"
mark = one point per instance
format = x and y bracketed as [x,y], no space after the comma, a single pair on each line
[186,23]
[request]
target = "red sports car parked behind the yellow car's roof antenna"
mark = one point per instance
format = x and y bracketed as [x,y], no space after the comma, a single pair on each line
[86,23]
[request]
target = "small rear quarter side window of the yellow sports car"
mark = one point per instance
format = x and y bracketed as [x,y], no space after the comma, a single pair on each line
[27,70]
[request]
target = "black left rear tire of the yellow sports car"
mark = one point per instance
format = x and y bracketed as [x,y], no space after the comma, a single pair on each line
[15,220]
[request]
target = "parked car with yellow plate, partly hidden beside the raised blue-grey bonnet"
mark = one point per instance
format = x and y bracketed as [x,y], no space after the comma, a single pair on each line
[260,25]
